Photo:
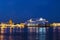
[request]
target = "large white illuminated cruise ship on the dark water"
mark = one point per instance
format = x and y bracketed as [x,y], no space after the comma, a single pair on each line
[37,22]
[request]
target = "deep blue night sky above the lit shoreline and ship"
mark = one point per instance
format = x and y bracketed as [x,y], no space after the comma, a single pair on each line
[22,10]
